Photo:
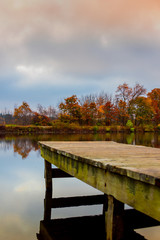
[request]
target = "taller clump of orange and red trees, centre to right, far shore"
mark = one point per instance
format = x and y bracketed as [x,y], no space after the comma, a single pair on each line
[104,110]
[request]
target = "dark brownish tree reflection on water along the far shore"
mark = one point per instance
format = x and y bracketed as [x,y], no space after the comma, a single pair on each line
[23,145]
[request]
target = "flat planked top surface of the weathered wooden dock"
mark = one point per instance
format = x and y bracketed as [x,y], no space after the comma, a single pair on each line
[138,162]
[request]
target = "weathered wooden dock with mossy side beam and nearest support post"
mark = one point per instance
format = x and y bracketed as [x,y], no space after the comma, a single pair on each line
[127,174]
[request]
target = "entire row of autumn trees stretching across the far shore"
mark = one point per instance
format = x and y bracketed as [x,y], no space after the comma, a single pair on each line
[128,103]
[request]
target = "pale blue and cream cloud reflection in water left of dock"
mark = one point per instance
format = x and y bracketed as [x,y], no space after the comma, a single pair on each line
[22,194]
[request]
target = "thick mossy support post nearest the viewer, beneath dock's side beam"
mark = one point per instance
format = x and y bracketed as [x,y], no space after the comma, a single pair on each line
[114,219]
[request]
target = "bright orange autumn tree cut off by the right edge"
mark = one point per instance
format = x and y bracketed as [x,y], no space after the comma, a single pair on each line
[154,96]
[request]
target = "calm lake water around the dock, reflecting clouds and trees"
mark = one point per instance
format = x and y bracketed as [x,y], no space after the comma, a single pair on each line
[23,189]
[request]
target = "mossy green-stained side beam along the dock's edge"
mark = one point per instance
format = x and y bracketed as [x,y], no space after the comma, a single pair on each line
[142,196]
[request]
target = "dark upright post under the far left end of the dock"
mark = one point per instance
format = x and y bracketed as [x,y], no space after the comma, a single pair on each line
[48,193]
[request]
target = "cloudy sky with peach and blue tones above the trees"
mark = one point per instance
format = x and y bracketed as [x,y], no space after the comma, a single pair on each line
[52,49]
